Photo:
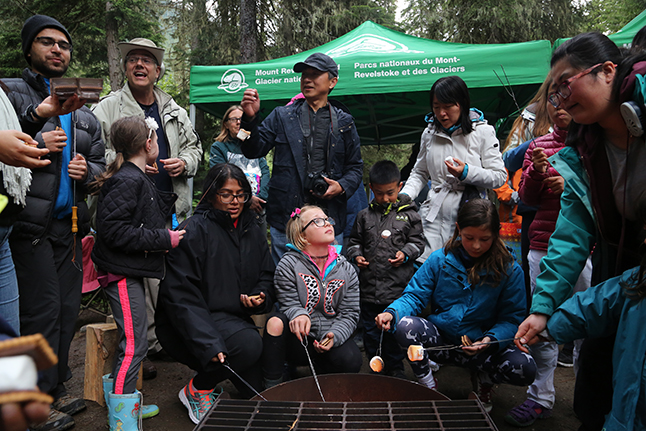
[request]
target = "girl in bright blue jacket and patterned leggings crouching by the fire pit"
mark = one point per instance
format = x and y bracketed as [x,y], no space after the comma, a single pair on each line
[474,289]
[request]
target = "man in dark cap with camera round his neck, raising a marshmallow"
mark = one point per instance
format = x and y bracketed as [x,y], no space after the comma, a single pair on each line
[317,159]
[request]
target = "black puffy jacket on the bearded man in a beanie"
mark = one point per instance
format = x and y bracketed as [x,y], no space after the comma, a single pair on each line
[41,197]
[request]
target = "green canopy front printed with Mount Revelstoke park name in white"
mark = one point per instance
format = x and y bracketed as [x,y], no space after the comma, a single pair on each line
[376,60]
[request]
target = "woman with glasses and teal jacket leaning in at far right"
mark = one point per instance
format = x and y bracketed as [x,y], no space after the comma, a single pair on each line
[603,168]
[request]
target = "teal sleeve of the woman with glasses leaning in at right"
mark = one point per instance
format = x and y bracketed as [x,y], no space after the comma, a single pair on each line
[573,239]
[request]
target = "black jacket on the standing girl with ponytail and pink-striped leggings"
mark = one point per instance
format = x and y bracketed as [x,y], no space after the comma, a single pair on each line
[131,234]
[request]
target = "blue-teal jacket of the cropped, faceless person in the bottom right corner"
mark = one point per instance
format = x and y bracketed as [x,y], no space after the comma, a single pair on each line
[600,311]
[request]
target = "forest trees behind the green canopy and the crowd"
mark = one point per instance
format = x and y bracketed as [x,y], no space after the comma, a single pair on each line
[218,32]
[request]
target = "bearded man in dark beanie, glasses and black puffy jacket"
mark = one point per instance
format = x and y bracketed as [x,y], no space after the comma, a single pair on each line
[46,253]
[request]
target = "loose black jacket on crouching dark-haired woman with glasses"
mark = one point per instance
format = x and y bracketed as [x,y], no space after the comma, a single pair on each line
[199,300]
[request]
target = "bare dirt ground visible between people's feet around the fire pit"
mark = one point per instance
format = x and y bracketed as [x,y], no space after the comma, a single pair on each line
[453,382]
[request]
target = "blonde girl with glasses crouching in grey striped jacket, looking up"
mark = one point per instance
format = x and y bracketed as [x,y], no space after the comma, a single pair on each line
[318,296]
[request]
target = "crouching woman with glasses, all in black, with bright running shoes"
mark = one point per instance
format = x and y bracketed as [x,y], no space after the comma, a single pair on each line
[219,276]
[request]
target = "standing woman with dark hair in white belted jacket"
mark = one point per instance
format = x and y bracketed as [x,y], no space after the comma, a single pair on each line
[460,154]
